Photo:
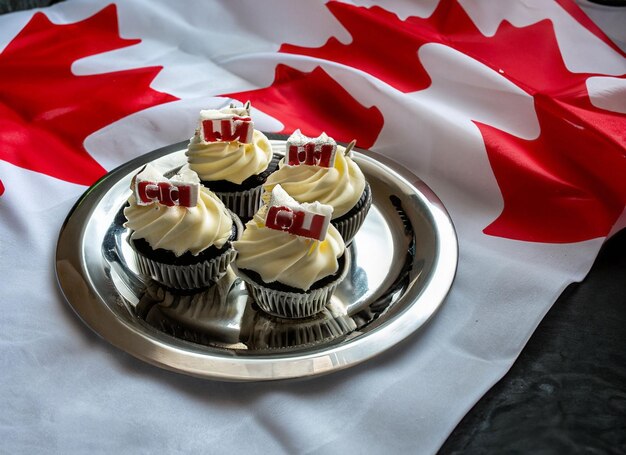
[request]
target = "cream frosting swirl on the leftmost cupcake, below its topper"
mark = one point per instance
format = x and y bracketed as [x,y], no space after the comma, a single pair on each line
[181,229]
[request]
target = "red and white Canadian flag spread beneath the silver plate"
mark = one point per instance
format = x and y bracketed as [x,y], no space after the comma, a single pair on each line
[512,112]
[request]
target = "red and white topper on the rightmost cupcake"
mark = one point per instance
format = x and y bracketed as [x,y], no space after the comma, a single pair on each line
[318,151]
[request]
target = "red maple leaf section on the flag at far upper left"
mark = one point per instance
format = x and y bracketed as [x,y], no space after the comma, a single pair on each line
[46,112]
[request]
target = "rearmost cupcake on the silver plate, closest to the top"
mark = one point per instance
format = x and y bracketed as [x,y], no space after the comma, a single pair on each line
[231,158]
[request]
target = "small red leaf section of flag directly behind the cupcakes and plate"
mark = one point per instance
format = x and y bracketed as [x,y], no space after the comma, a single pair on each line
[314,102]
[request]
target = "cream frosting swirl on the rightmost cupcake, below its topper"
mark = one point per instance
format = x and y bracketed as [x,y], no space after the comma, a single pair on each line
[340,186]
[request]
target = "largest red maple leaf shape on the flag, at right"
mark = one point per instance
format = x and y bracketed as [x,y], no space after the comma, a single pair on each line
[567,185]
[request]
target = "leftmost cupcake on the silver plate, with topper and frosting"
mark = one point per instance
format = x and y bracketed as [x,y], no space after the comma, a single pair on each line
[181,232]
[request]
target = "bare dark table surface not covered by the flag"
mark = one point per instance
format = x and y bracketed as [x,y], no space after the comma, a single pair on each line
[566,393]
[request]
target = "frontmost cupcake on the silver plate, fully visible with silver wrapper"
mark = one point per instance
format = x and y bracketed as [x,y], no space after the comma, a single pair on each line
[290,257]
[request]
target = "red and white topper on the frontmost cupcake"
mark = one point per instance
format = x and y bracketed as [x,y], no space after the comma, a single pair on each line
[309,220]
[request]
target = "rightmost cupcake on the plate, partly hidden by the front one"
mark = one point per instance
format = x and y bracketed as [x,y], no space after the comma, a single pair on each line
[317,169]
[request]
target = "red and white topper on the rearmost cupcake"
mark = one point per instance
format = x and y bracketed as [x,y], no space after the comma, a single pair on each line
[227,124]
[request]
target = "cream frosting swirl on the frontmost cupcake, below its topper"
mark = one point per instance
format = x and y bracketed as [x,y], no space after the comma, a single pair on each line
[289,259]
